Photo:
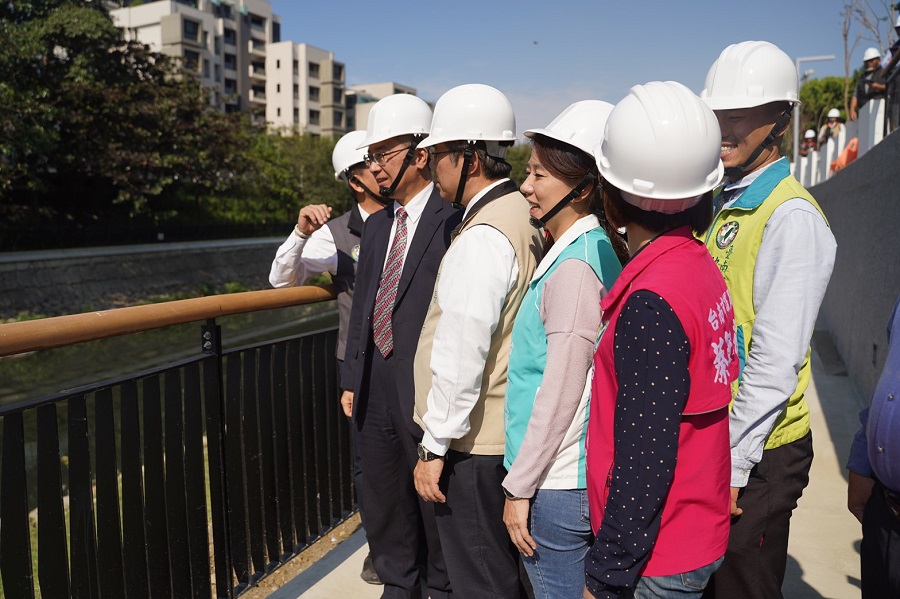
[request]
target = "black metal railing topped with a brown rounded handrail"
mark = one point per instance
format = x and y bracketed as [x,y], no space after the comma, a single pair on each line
[195,479]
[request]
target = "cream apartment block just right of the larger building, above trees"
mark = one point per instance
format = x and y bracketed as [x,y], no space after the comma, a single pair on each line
[305,90]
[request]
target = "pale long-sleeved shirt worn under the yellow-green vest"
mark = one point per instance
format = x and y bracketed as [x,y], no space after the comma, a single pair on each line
[792,270]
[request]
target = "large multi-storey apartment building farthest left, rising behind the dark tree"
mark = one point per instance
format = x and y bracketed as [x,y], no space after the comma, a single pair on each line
[223,42]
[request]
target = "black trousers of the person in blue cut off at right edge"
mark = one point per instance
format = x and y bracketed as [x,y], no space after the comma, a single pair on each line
[879,553]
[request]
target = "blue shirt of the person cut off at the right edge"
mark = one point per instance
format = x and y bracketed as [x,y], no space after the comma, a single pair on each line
[876,446]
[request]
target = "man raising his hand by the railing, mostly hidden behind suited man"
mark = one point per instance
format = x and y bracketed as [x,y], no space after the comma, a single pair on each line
[319,245]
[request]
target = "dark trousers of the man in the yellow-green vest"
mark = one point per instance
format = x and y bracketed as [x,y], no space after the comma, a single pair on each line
[757,546]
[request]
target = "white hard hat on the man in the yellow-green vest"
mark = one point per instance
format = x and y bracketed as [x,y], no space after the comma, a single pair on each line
[750,74]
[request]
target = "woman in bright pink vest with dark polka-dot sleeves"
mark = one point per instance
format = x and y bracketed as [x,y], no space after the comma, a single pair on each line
[658,459]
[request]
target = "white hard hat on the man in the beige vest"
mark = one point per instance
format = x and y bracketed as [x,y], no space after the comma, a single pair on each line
[474,112]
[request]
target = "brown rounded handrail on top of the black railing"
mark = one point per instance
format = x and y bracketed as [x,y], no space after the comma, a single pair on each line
[47,333]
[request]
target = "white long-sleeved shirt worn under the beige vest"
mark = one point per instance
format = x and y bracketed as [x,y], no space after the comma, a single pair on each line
[477,273]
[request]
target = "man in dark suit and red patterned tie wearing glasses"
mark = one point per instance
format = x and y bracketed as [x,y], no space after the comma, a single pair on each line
[400,251]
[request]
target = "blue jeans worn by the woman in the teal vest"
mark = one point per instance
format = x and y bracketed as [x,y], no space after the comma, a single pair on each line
[561,526]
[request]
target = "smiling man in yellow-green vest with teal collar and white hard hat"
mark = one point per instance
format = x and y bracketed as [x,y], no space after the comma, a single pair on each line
[776,251]
